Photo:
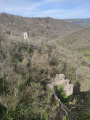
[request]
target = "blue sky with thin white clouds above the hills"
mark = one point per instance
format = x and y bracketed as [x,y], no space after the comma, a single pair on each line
[59,9]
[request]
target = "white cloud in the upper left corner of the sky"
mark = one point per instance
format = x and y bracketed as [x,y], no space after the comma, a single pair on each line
[12,7]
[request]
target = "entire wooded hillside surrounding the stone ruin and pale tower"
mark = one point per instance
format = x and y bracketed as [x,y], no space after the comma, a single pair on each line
[27,66]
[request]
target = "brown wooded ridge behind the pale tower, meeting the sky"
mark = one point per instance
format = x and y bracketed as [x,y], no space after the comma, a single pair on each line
[46,27]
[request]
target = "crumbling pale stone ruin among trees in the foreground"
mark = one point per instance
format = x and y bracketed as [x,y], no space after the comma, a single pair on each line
[60,80]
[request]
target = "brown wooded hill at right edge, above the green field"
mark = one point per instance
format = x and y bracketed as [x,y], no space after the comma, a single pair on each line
[78,40]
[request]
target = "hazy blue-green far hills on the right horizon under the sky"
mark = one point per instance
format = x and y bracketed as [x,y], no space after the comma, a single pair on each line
[82,22]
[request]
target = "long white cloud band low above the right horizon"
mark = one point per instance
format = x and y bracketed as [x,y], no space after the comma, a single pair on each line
[63,13]
